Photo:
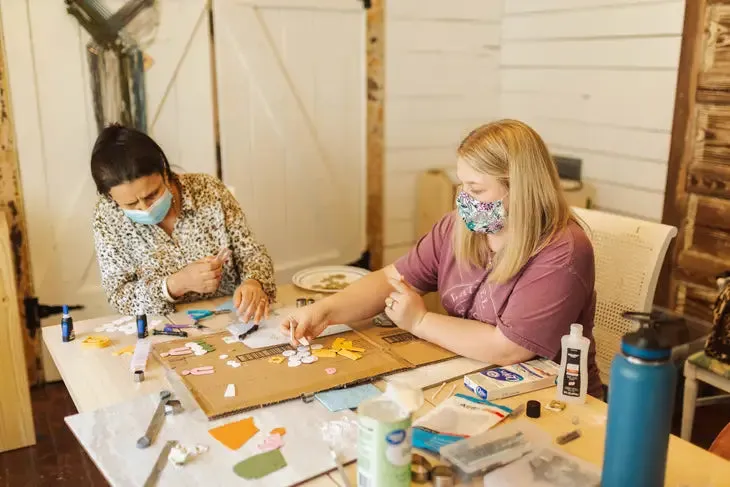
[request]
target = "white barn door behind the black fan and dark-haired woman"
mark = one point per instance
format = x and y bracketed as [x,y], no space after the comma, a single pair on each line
[56,129]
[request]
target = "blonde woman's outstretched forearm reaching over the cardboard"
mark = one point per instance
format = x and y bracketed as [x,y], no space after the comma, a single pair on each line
[360,300]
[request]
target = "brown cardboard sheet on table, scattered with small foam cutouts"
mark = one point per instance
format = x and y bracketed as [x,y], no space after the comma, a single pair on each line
[260,382]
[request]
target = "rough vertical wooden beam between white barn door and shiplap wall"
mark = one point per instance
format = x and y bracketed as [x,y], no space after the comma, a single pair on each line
[375,130]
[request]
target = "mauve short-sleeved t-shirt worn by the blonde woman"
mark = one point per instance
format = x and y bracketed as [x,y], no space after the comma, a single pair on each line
[534,309]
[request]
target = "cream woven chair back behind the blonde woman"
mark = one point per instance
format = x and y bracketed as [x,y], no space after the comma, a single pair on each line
[628,256]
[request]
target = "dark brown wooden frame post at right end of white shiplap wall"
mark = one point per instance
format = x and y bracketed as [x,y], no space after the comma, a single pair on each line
[681,146]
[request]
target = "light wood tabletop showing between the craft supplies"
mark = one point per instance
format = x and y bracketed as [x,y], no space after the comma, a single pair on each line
[89,373]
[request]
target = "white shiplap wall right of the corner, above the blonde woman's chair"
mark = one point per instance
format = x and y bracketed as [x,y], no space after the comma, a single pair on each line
[597,78]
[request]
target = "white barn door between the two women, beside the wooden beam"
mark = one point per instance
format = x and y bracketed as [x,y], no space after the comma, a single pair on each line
[291,101]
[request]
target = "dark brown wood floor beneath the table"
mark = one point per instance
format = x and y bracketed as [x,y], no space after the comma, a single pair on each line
[58,460]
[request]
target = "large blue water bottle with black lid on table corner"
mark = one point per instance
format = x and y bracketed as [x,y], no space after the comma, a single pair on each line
[640,406]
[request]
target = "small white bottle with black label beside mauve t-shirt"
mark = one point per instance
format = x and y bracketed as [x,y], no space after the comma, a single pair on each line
[573,375]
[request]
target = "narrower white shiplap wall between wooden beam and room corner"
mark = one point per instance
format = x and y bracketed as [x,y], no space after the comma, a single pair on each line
[442,80]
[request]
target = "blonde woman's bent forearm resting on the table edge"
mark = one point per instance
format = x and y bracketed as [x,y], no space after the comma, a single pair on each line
[470,338]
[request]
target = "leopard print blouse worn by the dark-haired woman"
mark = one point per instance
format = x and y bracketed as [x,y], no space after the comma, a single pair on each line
[135,259]
